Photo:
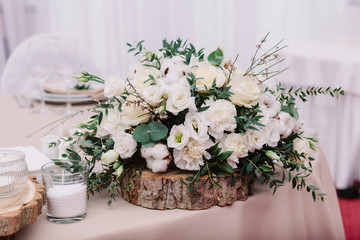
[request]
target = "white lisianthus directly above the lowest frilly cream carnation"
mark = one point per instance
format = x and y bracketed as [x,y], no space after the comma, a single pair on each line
[197,125]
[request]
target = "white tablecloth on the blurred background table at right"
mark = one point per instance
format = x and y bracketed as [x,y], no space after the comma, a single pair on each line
[336,120]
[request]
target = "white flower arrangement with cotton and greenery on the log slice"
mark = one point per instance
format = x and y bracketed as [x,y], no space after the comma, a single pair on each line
[180,109]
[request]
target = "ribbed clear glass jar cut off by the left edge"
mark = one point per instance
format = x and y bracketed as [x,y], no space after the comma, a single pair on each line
[13,172]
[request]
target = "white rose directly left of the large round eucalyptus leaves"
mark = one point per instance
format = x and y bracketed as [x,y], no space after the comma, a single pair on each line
[124,145]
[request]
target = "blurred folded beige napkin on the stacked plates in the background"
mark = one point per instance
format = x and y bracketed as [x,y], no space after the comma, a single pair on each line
[59,87]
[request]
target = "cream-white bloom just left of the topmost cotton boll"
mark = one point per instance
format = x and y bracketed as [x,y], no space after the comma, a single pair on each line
[139,76]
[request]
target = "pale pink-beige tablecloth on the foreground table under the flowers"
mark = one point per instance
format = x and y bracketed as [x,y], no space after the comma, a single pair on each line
[288,214]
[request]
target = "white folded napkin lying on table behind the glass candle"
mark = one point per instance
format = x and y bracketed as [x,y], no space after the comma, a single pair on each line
[34,159]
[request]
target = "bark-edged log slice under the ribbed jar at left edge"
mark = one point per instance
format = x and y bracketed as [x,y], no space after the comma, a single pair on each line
[12,221]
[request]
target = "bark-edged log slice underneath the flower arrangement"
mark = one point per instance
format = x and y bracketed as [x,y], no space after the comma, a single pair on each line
[167,191]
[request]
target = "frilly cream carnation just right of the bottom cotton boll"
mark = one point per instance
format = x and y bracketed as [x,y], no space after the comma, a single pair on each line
[190,157]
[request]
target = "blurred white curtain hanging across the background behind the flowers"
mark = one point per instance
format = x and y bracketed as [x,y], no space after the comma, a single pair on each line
[103,27]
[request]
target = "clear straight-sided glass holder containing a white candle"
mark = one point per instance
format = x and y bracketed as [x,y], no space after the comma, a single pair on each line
[66,185]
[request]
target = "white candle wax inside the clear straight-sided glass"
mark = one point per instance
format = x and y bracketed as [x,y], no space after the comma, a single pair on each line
[66,200]
